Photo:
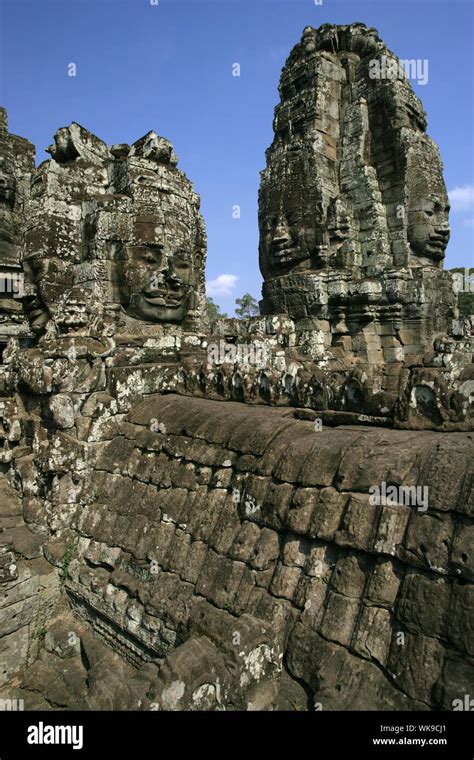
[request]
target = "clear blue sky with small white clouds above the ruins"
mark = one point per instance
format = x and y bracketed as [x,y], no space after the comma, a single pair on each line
[168,67]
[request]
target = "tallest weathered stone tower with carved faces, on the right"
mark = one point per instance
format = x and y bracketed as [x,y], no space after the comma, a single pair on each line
[353,209]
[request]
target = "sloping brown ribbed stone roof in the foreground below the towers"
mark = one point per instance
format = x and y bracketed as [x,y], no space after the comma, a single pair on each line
[237,522]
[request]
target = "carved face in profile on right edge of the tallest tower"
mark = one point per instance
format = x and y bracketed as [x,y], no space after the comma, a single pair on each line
[428,227]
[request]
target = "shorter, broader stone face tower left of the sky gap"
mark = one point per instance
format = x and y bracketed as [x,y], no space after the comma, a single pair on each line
[141,247]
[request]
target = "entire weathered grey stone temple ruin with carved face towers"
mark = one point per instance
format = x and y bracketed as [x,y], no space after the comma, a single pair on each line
[184,528]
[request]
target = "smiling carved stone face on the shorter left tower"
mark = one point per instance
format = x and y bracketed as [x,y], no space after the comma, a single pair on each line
[160,277]
